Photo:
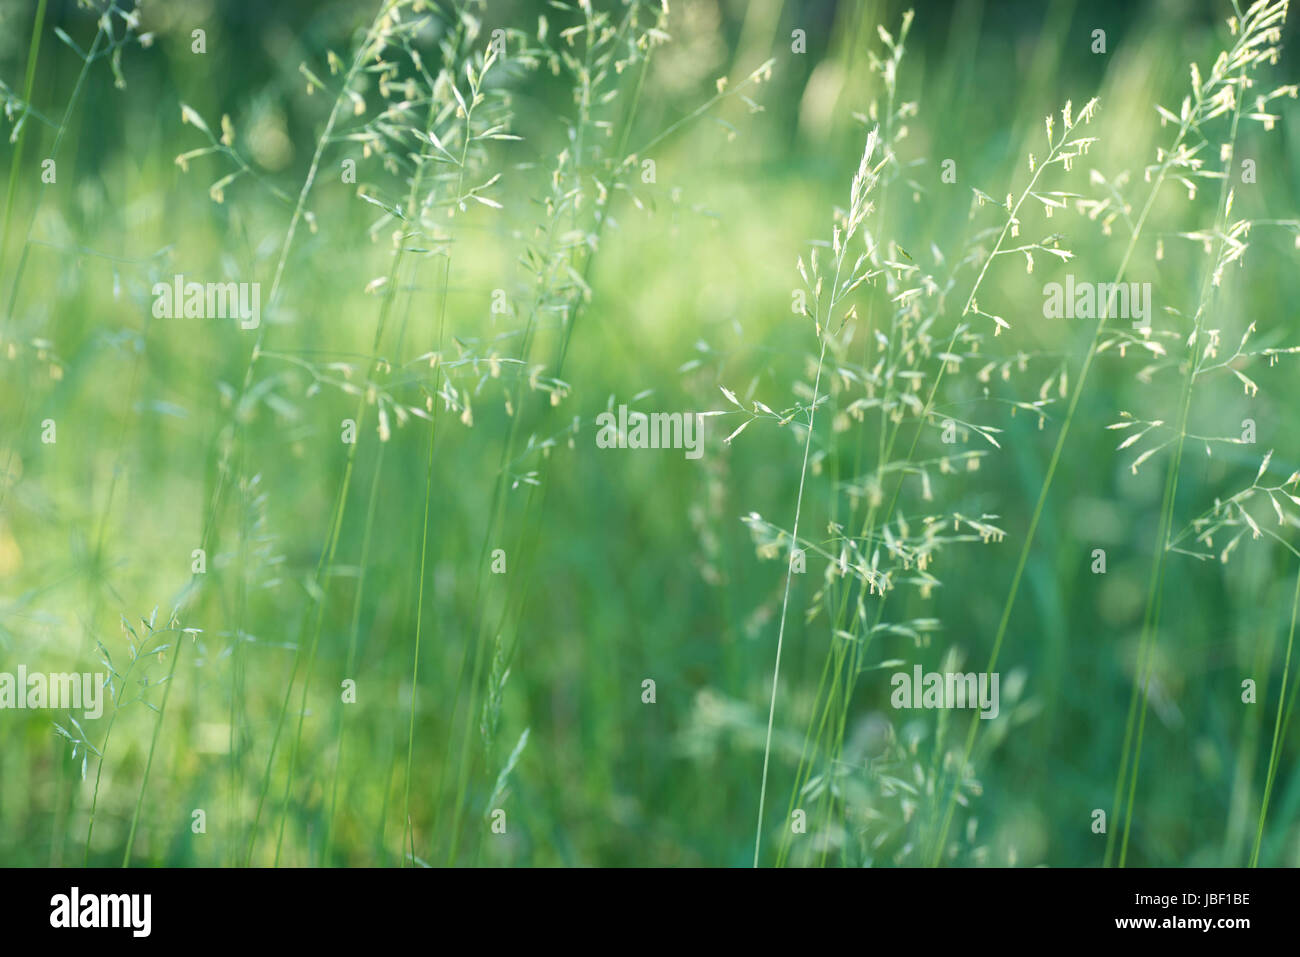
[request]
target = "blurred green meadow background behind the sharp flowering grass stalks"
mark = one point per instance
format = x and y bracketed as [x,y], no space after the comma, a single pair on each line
[621,565]
